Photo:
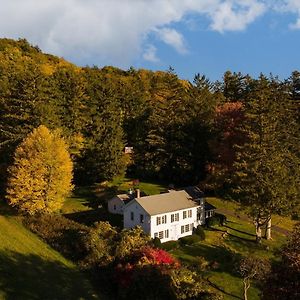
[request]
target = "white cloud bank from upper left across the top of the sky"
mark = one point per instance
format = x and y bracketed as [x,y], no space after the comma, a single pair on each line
[117,31]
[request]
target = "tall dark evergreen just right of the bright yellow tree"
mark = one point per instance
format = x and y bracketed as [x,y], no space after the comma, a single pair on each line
[103,155]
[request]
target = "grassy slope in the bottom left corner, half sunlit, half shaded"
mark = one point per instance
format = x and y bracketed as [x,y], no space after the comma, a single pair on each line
[30,269]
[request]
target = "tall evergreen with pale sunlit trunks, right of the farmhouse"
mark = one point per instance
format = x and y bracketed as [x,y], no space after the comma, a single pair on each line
[267,167]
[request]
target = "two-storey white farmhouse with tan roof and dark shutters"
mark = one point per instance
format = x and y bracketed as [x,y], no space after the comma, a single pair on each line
[168,216]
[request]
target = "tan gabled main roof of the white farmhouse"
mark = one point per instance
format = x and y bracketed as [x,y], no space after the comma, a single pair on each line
[168,202]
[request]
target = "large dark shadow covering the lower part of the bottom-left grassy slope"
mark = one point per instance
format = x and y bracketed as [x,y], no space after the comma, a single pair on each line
[31,277]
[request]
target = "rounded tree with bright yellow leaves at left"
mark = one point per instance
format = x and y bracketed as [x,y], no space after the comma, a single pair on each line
[41,175]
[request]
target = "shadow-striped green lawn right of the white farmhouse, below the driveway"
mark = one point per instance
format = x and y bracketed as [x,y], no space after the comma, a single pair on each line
[222,251]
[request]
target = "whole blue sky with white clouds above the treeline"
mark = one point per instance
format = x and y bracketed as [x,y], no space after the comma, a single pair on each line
[192,36]
